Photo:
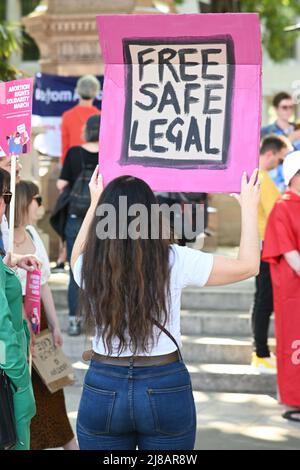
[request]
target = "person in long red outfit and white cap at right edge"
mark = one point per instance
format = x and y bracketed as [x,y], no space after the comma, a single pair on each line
[282,251]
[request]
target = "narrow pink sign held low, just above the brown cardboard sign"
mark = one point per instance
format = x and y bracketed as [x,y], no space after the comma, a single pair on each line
[32,303]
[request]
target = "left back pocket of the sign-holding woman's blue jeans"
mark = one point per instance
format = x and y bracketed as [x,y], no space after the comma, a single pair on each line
[95,410]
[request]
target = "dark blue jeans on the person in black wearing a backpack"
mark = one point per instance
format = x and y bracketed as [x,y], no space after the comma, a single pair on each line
[71,231]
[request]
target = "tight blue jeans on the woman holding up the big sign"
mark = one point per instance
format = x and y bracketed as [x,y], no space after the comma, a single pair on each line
[124,408]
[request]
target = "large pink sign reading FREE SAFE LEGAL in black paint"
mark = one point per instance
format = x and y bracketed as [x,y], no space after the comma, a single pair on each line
[181,99]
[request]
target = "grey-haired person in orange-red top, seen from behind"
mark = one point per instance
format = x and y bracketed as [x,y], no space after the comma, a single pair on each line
[74,120]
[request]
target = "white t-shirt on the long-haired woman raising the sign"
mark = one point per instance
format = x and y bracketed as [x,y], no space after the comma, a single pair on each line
[188,267]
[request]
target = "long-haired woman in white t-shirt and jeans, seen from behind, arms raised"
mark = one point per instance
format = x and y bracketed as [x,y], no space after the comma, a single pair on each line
[137,391]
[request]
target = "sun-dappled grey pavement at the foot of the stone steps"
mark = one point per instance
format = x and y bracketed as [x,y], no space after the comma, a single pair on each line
[229,421]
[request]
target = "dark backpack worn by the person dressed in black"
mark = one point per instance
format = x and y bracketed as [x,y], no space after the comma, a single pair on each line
[80,198]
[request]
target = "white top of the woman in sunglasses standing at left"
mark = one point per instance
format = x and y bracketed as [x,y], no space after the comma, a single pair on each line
[41,254]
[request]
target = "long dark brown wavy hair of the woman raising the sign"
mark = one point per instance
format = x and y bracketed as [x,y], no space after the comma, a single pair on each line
[125,282]
